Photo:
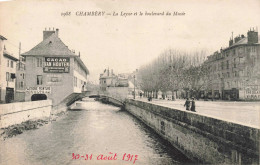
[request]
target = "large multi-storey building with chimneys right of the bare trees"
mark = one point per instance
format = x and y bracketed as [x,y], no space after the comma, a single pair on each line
[235,70]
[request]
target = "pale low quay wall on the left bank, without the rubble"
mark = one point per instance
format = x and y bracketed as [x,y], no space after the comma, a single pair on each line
[16,113]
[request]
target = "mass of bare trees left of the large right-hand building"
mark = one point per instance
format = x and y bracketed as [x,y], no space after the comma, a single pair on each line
[174,70]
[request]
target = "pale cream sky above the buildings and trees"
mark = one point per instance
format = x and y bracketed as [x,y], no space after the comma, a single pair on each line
[122,43]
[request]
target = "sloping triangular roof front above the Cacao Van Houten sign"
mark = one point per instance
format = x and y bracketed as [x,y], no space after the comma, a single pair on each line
[50,46]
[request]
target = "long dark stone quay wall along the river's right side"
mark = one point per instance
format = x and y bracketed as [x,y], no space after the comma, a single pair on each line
[201,138]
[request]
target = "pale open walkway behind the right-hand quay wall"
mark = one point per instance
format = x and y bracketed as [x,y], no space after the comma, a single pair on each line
[244,113]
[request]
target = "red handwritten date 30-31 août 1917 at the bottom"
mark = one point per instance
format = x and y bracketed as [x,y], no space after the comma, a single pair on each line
[110,156]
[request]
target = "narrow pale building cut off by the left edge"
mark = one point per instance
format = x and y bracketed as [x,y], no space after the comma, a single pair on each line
[7,74]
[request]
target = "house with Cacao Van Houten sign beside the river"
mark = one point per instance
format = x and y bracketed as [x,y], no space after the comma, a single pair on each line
[53,71]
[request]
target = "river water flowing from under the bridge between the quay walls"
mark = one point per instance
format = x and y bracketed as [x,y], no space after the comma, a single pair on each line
[97,132]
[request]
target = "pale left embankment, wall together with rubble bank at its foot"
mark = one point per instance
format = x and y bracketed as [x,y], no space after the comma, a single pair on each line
[15,118]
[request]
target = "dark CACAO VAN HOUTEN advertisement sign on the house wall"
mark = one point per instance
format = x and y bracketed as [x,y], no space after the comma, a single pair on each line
[56,65]
